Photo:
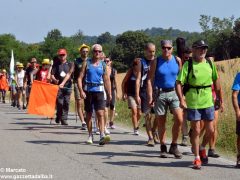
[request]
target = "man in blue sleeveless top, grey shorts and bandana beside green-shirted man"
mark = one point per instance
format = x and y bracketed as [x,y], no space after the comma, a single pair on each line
[163,74]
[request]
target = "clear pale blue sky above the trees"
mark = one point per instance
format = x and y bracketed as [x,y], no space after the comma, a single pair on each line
[31,20]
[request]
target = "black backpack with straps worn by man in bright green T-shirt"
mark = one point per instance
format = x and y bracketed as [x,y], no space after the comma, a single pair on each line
[187,86]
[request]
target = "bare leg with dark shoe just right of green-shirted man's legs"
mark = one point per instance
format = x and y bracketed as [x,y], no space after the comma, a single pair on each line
[213,139]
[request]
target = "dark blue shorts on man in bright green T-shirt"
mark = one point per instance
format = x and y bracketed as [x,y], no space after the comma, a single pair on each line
[201,114]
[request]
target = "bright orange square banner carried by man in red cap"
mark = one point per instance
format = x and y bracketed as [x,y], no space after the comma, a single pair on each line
[42,99]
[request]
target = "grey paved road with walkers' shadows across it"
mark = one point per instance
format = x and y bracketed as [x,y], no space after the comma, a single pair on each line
[29,143]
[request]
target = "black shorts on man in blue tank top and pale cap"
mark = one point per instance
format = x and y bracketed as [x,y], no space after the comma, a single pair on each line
[94,100]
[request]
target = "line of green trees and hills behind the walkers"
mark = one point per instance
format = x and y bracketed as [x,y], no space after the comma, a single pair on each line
[222,35]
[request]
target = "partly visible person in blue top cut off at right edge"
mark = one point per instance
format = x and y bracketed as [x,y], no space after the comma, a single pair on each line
[236,103]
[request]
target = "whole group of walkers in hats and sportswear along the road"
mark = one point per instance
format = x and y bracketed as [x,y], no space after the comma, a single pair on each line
[188,87]
